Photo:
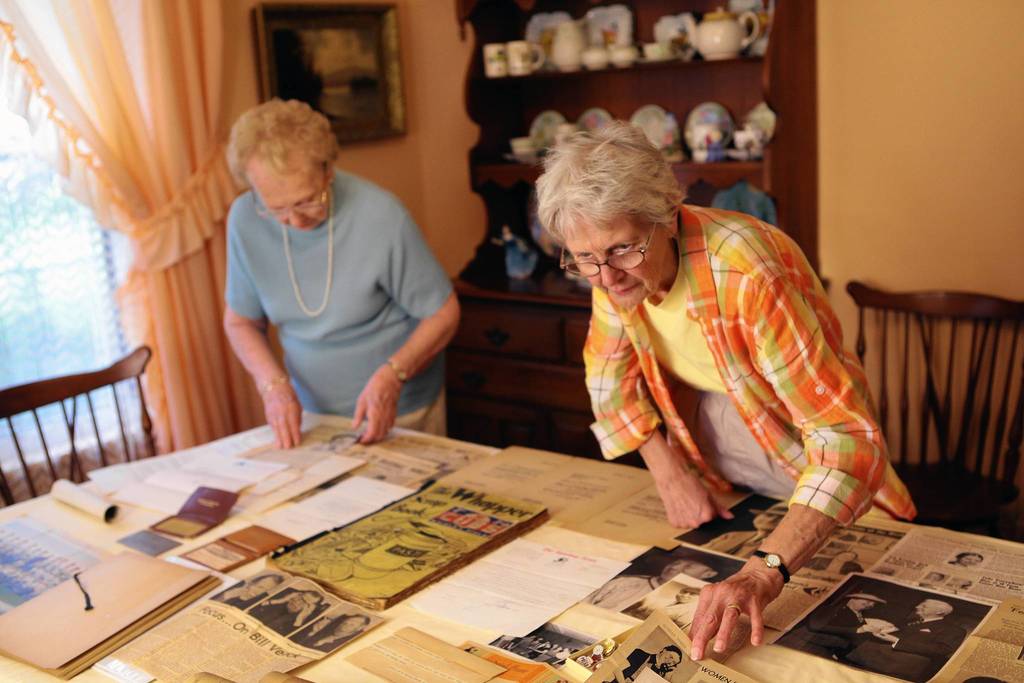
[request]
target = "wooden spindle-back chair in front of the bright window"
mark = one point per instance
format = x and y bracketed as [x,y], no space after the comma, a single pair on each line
[67,390]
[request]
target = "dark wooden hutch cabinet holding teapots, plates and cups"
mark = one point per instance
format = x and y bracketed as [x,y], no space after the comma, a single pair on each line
[515,369]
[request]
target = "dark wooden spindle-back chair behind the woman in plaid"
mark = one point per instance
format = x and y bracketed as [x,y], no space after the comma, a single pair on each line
[948,369]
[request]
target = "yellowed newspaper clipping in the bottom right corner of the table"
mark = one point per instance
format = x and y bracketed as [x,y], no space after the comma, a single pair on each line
[994,653]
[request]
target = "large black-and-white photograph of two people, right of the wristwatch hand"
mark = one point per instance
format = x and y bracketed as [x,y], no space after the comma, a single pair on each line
[887,628]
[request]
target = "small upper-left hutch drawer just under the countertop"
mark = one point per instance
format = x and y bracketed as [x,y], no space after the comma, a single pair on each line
[529,332]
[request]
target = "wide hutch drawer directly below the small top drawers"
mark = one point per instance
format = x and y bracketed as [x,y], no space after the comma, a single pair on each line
[508,379]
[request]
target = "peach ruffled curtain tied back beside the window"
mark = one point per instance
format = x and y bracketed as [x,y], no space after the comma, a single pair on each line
[124,101]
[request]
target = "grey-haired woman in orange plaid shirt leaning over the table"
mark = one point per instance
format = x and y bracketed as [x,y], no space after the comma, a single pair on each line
[729,308]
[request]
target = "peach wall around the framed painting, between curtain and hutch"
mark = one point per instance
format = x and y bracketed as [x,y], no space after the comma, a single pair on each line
[429,166]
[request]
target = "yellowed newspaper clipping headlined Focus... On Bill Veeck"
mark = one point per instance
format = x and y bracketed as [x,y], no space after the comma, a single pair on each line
[269,623]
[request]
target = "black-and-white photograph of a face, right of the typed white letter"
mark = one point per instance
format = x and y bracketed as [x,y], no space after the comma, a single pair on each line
[658,567]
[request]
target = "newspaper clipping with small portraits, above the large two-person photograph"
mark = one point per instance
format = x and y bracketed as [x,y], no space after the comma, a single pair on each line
[960,566]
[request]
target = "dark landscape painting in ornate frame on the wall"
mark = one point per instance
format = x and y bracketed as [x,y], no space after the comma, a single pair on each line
[342,60]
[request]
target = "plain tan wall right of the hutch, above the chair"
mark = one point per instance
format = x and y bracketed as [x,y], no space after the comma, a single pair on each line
[922,146]
